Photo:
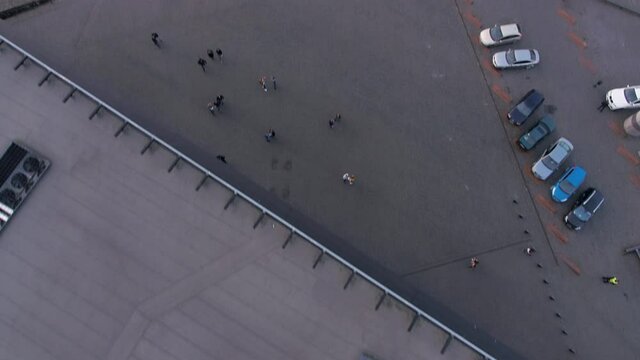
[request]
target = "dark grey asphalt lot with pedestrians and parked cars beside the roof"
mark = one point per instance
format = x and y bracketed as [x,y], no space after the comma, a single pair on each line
[423,129]
